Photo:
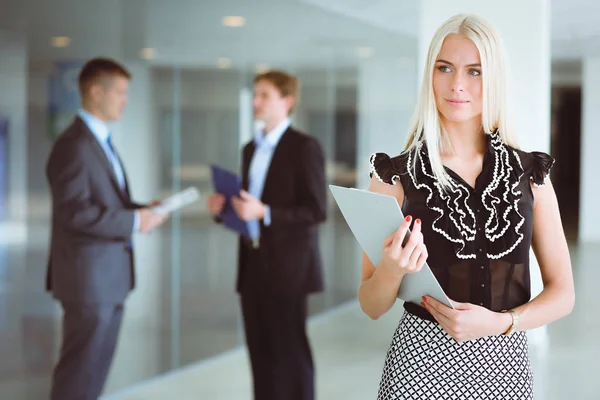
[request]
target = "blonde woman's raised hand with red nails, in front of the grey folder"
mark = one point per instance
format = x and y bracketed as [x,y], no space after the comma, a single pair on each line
[398,260]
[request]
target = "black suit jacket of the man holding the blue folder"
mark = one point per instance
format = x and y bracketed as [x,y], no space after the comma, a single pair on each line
[295,190]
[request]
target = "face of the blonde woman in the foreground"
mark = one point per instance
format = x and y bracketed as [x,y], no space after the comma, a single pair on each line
[457,81]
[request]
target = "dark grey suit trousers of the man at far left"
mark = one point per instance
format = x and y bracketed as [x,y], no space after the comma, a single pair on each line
[89,338]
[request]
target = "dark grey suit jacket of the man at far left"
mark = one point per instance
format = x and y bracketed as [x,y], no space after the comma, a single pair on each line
[91,260]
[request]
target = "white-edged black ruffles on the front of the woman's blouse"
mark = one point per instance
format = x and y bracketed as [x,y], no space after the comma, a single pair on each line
[456,220]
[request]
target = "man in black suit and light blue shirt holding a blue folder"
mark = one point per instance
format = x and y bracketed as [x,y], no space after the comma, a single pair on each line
[284,200]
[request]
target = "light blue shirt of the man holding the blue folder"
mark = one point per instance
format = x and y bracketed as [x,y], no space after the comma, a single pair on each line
[259,166]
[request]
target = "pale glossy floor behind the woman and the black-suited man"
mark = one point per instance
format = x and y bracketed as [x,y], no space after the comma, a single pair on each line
[349,351]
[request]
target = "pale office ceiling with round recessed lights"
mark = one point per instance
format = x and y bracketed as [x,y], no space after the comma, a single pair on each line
[290,33]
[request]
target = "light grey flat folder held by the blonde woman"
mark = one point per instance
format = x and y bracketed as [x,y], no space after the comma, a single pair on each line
[372,217]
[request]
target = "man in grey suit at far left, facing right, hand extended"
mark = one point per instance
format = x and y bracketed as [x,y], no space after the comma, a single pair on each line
[90,267]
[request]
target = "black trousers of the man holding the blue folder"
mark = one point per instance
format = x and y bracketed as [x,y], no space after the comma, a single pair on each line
[280,354]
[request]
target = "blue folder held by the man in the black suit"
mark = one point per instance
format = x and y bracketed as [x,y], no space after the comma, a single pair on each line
[229,184]
